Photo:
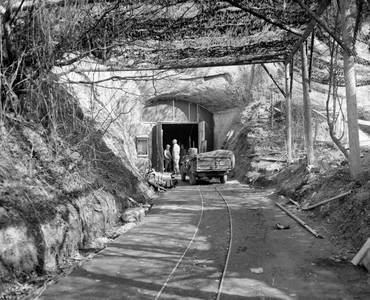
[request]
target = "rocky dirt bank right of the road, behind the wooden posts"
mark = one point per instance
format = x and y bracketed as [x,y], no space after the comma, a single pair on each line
[260,154]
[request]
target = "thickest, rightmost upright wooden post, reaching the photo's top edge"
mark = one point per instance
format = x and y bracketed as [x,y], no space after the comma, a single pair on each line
[348,18]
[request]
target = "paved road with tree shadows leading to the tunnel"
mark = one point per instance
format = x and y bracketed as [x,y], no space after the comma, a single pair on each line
[294,264]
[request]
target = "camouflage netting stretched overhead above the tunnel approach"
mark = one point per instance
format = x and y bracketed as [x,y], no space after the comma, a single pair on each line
[165,34]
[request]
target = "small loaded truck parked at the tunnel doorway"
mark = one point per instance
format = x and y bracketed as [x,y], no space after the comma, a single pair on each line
[207,165]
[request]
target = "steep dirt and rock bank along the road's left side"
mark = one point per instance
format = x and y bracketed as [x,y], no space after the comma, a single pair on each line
[60,190]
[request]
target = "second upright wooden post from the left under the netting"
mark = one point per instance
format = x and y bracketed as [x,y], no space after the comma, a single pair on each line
[307,108]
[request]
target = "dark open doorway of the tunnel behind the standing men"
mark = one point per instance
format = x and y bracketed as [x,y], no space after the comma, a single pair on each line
[186,134]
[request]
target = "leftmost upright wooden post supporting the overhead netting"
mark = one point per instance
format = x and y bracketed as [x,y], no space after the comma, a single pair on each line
[289,125]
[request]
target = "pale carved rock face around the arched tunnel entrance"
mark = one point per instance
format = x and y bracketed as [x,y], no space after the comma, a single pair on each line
[118,98]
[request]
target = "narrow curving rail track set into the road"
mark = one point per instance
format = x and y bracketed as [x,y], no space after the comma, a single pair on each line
[218,294]
